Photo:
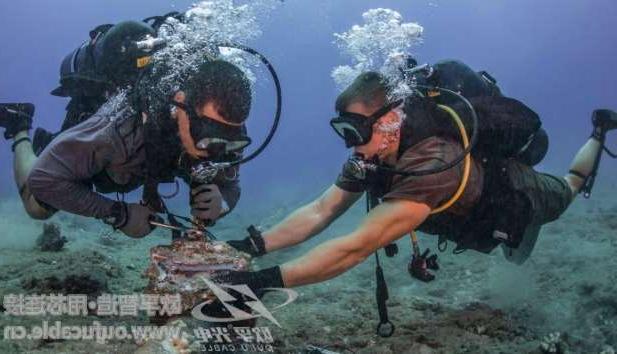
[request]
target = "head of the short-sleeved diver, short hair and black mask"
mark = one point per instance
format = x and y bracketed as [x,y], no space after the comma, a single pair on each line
[367,120]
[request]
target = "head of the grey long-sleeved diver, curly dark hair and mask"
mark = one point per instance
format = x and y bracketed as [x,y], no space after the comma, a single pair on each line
[211,111]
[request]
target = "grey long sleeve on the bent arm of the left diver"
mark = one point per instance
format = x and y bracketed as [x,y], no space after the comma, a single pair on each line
[60,177]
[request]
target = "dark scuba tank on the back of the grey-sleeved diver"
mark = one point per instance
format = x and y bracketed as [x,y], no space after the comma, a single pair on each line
[113,57]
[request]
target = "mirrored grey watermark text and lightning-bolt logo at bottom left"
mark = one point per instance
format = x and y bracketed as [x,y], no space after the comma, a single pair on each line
[229,337]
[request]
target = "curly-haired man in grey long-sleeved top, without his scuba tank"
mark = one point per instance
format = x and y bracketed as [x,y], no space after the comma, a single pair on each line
[124,146]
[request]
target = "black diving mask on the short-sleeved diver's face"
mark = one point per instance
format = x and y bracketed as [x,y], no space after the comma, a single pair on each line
[357,129]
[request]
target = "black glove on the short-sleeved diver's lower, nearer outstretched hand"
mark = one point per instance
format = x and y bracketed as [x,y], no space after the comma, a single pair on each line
[257,281]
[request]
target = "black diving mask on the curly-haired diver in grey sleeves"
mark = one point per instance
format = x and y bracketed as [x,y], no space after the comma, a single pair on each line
[216,138]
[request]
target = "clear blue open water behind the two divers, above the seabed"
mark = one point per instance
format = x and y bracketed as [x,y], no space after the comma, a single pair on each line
[557,56]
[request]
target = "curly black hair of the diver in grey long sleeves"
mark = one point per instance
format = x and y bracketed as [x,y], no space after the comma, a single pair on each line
[223,84]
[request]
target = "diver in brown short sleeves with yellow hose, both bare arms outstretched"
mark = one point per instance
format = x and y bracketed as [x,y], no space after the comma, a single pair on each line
[408,155]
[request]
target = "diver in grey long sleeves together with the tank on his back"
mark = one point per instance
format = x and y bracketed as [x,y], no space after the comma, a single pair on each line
[143,139]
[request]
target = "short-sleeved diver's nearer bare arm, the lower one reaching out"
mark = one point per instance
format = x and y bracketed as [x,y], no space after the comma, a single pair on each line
[383,225]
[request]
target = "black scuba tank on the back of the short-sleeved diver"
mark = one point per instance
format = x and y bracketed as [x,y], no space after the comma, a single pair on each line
[507,128]
